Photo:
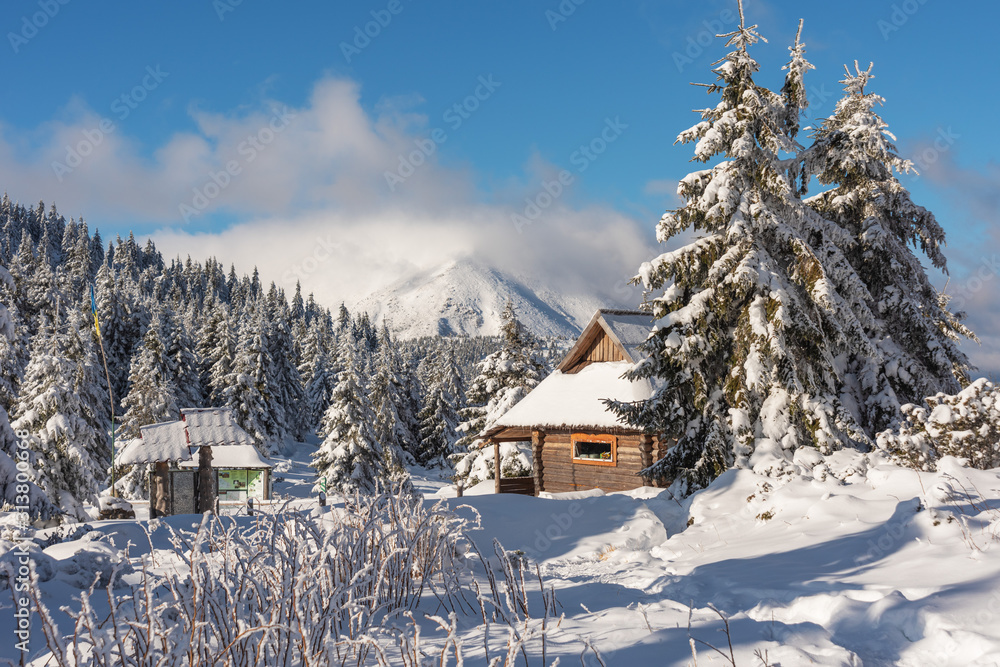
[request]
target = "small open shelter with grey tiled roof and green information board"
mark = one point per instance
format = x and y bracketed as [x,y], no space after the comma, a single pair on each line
[200,457]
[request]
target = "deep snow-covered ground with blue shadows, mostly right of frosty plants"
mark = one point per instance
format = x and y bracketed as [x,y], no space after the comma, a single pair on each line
[855,562]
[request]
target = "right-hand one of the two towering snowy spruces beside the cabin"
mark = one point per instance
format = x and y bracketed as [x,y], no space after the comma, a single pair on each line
[915,334]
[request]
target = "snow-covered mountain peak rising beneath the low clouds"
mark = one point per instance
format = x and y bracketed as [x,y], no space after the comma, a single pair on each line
[466,297]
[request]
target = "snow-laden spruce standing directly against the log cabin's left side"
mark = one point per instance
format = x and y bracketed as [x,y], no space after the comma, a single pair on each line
[505,377]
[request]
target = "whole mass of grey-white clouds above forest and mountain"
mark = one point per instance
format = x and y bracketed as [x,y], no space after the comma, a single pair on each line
[312,195]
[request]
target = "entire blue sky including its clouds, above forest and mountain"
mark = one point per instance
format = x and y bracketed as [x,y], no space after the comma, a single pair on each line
[312,202]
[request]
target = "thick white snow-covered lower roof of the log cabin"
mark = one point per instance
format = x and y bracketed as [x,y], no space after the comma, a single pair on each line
[576,400]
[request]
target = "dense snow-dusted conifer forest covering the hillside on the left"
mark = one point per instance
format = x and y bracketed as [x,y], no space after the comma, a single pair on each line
[184,334]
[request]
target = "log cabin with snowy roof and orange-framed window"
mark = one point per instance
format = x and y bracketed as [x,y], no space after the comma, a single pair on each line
[576,442]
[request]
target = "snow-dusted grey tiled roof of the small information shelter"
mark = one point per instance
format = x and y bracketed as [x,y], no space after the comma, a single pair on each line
[178,441]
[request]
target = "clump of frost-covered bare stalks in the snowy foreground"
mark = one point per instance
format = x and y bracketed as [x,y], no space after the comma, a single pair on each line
[306,589]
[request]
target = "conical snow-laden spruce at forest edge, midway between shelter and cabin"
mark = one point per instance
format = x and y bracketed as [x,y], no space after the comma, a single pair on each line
[351,458]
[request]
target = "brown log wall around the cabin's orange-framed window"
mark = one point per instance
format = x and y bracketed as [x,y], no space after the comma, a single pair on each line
[560,473]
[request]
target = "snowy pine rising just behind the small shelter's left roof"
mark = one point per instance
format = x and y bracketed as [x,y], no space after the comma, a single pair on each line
[152,394]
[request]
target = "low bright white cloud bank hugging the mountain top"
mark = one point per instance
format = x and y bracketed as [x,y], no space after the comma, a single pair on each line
[344,257]
